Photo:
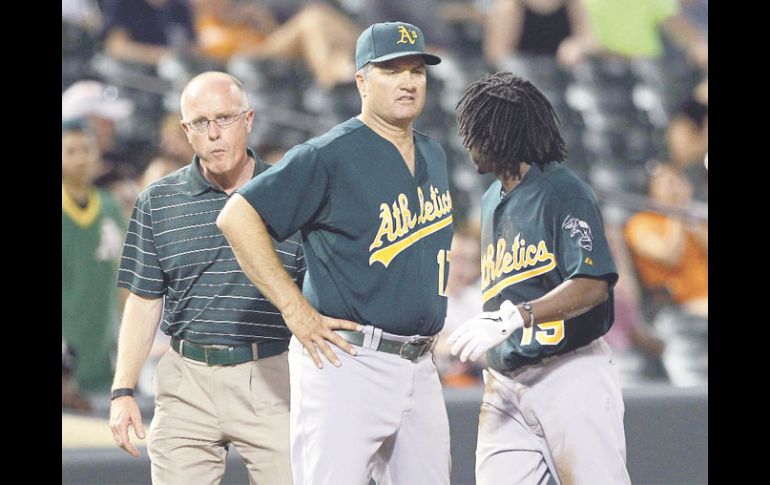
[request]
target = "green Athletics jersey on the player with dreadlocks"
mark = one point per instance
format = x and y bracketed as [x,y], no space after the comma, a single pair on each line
[546,230]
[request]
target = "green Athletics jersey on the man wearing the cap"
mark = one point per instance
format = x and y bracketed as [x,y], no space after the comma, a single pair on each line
[376,237]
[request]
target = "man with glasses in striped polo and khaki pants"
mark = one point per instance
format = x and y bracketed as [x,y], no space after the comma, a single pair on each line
[225,380]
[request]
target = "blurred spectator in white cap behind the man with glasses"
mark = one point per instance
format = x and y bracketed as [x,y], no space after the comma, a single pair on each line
[101,107]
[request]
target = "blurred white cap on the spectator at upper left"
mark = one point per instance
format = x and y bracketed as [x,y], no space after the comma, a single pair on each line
[85,98]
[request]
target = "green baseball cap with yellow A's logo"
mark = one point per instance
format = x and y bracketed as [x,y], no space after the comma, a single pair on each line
[389,40]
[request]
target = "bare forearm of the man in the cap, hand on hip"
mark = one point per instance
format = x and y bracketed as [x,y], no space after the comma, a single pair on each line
[253,248]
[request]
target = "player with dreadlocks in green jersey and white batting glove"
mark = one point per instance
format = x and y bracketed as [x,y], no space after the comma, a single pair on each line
[552,407]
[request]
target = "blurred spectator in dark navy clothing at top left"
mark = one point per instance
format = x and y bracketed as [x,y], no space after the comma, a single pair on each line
[145,31]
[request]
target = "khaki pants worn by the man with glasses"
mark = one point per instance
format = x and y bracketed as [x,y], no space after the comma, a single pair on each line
[201,409]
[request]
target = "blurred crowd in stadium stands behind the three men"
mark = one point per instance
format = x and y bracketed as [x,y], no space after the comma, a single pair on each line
[628,78]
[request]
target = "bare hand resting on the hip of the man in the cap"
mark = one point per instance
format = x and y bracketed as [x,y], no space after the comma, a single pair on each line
[315,330]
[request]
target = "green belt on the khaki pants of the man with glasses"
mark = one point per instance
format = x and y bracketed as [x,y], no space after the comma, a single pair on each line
[228,355]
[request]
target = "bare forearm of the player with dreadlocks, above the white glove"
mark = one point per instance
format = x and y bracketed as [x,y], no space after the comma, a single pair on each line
[568,300]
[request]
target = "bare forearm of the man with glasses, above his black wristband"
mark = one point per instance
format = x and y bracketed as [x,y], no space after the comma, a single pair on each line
[141,317]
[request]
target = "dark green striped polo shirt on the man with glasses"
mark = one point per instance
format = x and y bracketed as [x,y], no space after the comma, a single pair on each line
[174,249]
